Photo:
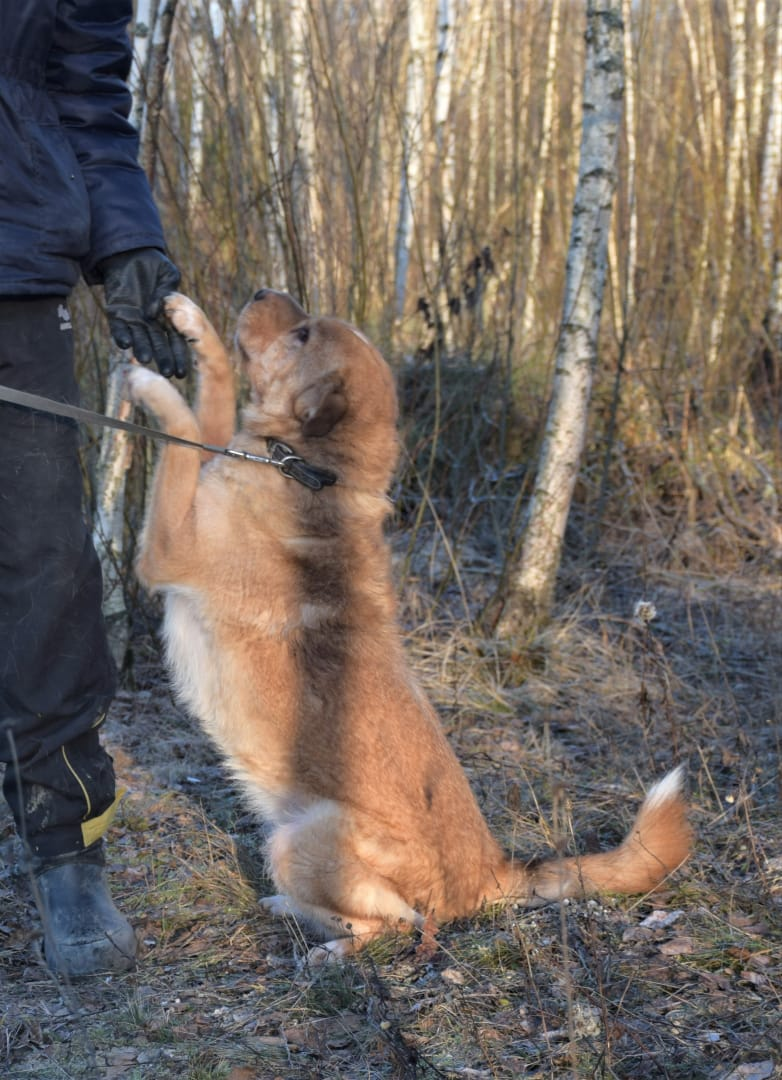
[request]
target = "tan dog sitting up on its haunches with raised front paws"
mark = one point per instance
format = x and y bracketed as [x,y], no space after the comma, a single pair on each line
[281,636]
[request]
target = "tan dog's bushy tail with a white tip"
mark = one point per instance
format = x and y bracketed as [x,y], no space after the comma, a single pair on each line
[658,843]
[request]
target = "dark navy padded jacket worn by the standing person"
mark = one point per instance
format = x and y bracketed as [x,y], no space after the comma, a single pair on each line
[72,192]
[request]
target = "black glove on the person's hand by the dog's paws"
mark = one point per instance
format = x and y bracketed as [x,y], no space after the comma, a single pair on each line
[136,286]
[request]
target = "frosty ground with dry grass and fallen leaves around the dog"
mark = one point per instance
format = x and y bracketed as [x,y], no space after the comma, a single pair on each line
[560,746]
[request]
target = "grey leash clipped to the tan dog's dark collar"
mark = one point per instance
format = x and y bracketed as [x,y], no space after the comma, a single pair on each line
[281,456]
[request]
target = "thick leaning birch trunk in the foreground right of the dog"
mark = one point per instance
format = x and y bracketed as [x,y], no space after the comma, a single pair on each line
[529,603]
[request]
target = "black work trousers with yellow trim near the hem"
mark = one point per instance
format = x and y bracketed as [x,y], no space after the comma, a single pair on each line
[57,673]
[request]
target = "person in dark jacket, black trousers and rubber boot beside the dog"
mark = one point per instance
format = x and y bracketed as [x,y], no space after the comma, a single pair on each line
[74,200]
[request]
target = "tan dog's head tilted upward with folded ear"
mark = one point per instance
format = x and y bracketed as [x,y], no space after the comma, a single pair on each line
[318,384]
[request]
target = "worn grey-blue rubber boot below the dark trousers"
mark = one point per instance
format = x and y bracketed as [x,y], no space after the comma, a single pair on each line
[84,934]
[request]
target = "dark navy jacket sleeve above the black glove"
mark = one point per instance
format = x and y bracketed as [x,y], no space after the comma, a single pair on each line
[87,79]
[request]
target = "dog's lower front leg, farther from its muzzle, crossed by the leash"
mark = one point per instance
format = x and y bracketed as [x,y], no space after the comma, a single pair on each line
[169,536]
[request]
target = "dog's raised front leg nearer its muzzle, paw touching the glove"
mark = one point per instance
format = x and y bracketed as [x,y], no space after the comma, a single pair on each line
[217,400]
